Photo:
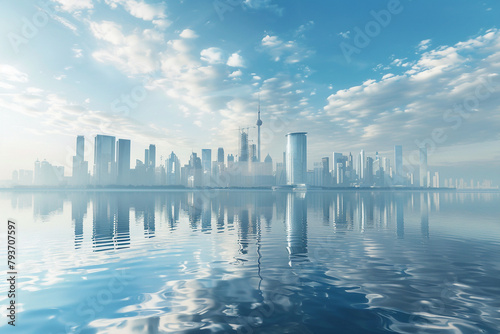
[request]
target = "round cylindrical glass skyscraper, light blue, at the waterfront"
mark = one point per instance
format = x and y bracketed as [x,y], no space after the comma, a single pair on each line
[296,158]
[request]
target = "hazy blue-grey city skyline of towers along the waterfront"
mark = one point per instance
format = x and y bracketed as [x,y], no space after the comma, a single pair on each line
[112,166]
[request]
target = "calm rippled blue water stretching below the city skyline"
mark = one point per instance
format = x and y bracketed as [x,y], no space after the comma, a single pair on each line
[254,262]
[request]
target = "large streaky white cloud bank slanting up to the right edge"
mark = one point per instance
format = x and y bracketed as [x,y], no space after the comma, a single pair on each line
[408,107]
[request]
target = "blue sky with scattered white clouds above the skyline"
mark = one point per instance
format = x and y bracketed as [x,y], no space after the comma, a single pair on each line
[185,75]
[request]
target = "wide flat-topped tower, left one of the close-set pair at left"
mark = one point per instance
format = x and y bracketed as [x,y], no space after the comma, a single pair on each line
[104,160]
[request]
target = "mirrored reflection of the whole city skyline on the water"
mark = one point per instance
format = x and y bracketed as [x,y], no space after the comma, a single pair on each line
[224,211]
